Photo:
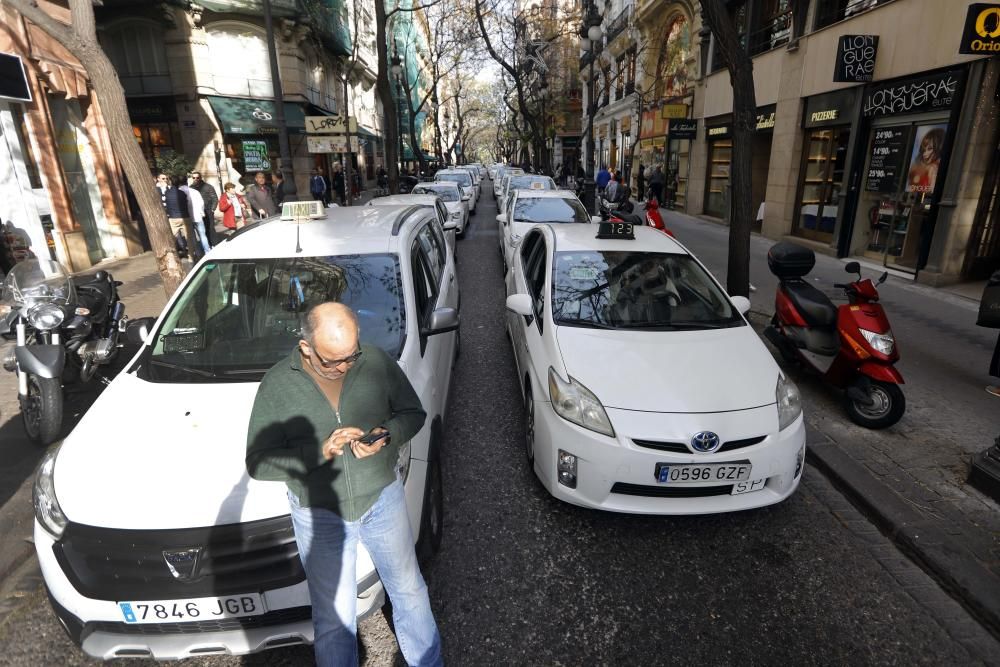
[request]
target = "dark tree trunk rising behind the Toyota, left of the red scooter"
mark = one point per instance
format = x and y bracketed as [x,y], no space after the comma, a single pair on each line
[740,68]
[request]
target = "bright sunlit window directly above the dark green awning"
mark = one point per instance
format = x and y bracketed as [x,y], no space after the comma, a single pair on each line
[241,66]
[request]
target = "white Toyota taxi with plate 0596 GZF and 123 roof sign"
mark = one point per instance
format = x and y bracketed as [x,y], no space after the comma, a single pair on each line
[645,389]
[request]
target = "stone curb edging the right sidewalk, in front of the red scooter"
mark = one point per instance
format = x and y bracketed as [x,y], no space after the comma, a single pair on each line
[935,551]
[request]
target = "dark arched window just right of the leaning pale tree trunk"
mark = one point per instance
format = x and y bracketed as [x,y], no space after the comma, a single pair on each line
[136,50]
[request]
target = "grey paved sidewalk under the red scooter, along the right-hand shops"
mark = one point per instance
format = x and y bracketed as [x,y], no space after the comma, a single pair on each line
[910,480]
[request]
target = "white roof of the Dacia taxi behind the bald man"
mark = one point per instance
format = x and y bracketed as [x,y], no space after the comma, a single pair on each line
[344,230]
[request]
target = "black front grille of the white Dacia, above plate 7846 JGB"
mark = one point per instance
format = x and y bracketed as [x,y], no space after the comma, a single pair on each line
[129,565]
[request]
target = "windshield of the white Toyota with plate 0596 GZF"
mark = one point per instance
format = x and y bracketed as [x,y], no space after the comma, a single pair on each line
[637,290]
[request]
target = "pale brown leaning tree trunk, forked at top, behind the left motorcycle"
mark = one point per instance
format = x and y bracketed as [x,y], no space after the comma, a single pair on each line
[80,39]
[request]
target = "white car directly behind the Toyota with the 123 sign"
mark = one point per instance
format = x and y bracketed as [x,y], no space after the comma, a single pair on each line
[527,208]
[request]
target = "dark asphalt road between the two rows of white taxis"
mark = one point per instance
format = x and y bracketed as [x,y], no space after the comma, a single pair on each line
[524,579]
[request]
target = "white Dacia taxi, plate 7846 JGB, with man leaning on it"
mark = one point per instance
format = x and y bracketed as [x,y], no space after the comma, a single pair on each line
[152,539]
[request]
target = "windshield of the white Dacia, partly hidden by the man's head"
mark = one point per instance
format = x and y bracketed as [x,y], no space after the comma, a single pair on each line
[237,318]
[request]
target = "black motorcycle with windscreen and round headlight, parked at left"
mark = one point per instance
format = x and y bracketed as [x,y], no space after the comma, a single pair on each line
[63,330]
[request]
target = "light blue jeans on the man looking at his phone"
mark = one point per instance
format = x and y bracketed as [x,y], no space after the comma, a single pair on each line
[328,549]
